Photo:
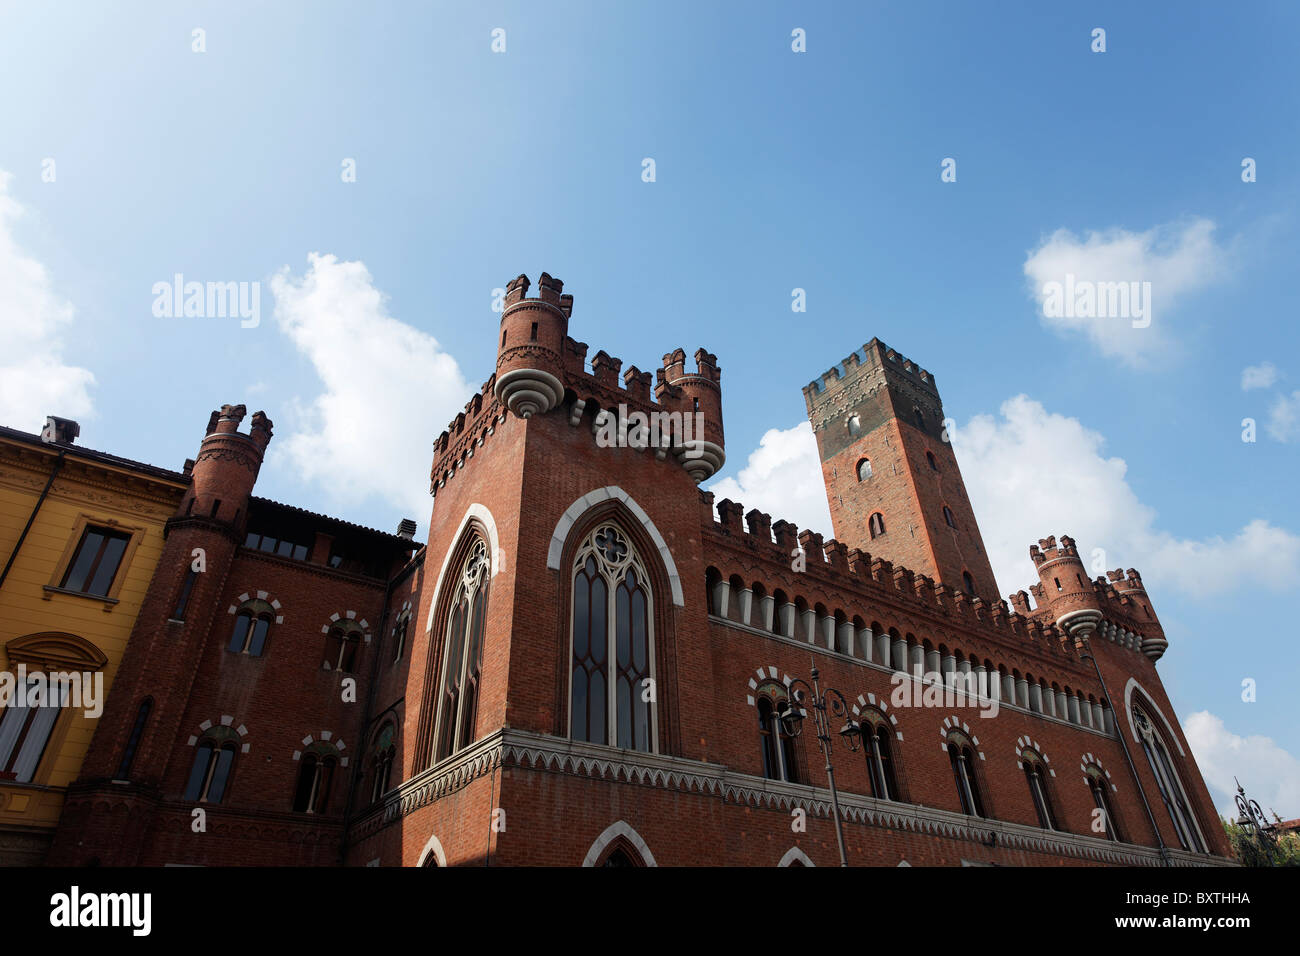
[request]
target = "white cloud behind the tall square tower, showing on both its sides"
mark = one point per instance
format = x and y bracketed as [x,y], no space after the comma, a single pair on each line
[1033,474]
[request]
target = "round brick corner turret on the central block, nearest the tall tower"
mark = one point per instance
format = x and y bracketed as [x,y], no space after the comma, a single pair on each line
[699,396]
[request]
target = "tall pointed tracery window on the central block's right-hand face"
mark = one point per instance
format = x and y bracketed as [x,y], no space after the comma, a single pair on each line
[612,677]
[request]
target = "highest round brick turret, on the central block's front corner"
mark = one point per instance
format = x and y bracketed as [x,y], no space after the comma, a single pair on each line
[530,356]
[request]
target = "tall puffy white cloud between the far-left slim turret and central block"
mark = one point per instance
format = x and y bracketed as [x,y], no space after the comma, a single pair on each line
[388,388]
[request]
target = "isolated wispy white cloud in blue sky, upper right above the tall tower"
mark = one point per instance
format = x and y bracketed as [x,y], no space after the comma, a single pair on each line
[1176,259]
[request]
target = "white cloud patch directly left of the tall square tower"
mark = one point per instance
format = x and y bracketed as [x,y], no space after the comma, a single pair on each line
[783,478]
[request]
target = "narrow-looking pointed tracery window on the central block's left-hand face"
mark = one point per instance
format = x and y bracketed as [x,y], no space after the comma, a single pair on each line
[458,708]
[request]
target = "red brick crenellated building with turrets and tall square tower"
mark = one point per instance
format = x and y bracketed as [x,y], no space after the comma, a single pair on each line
[591,661]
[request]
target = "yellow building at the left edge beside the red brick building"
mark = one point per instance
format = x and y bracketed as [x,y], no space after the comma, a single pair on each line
[81,534]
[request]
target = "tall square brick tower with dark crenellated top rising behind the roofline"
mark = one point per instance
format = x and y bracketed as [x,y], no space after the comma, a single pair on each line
[891,475]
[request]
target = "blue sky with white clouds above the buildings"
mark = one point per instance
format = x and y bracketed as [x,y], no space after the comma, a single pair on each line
[370,175]
